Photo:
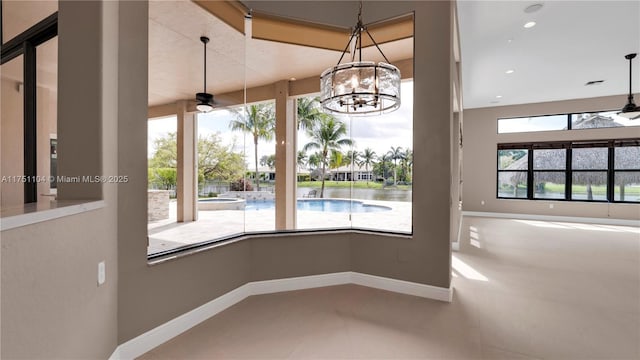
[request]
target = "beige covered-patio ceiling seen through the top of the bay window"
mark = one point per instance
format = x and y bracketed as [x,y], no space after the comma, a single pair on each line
[176,55]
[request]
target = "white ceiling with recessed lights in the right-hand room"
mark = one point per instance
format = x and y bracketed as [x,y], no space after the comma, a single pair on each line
[573,42]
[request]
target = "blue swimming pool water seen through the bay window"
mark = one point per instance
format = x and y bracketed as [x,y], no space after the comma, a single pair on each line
[326,205]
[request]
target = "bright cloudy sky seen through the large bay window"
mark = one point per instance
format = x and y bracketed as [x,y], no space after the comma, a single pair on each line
[379,133]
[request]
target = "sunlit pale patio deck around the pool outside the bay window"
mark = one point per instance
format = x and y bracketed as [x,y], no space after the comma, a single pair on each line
[168,234]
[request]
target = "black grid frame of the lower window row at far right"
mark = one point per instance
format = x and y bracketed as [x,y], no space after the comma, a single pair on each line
[609,144]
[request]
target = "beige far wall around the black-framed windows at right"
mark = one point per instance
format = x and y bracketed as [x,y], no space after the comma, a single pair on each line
[481,139]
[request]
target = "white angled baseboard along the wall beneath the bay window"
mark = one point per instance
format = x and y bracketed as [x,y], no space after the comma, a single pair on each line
[165,332]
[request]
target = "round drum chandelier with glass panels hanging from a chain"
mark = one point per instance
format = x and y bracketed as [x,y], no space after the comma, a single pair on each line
[360,87]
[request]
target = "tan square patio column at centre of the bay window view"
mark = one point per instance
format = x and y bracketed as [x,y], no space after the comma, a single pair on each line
[285,158]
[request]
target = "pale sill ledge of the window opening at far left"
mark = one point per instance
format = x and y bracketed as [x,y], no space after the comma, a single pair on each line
[29,214]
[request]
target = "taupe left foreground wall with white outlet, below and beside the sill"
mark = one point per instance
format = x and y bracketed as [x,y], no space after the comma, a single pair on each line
[52,306]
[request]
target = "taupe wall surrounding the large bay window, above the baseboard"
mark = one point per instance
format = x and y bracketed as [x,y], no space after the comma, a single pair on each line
[152,295]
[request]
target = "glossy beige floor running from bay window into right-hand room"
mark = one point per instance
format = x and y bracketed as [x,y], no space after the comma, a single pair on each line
[523,290]
